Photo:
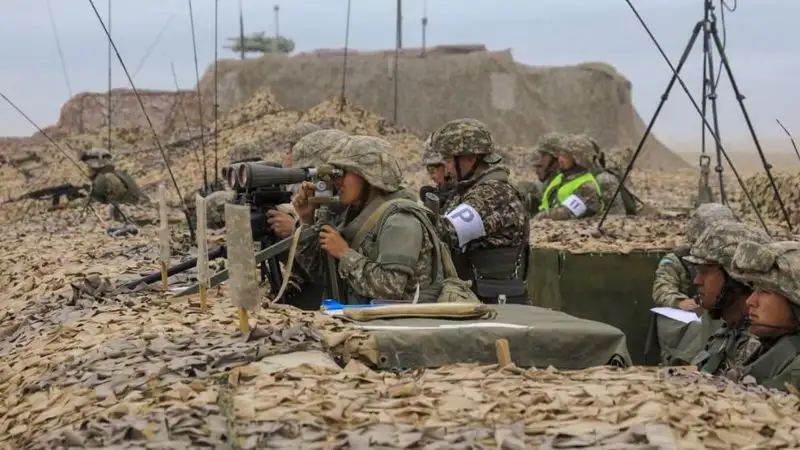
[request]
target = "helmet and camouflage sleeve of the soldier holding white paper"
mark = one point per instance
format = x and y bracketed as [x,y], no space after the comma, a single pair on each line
[674,281]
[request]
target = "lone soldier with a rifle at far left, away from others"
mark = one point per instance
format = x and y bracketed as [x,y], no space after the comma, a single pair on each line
[109,185]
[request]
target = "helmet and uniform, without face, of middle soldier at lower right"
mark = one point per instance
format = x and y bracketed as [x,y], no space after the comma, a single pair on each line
[732,344]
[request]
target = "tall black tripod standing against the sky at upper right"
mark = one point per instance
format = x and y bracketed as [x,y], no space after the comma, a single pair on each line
[710,34]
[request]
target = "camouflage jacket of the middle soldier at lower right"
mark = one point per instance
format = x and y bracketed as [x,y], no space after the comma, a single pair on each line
[727,348]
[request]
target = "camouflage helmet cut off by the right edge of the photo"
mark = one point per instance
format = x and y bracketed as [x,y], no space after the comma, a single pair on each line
[773,267]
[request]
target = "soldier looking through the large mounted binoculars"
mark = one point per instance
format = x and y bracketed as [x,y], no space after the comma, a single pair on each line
[384,250]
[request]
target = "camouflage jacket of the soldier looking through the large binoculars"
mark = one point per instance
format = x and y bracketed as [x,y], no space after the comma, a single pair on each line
[379,268]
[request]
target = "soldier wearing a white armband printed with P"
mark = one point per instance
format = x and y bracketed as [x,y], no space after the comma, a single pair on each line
[485,226]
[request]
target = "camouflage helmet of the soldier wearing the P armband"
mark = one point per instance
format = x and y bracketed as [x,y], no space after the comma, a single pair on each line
[463,137]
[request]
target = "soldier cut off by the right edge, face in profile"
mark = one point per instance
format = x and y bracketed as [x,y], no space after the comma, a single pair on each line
[774,310]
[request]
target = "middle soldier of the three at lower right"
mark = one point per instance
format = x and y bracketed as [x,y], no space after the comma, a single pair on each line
[723,296]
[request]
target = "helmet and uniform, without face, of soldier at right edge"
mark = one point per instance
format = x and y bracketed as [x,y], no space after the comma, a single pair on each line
[774,267]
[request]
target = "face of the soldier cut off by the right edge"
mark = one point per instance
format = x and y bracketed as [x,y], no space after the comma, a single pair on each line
[770,313]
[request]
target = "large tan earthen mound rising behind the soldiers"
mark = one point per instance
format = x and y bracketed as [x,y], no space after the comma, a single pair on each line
[518,102]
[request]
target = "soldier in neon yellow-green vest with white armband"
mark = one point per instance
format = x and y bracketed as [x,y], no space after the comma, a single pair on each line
[574,192]
